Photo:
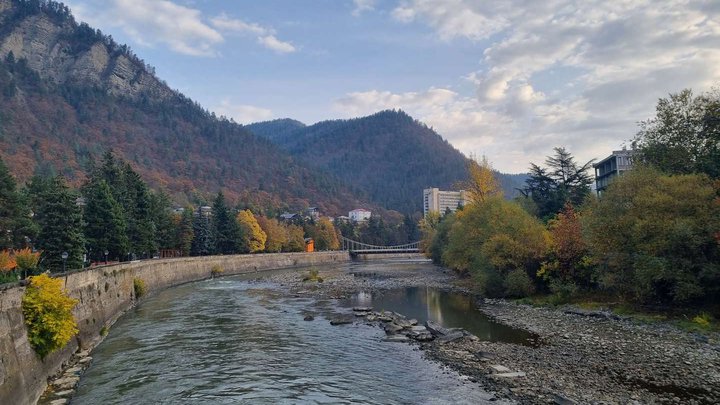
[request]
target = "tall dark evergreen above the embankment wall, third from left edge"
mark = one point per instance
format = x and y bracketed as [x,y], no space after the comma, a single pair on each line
[105,227]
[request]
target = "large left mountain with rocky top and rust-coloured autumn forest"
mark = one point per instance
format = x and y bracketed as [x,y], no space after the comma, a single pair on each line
[68,93]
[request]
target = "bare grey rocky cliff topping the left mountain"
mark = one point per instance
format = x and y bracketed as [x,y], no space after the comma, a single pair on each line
[63,51]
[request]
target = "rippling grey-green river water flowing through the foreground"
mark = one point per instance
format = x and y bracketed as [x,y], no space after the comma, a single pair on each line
[234,341]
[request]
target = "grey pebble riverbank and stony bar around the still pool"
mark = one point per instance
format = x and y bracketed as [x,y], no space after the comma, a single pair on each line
[582,357]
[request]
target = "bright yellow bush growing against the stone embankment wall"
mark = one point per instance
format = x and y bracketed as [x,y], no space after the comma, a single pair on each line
[48,314]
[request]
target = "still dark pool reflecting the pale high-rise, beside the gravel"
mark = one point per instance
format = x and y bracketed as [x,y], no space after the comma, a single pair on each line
[449,309]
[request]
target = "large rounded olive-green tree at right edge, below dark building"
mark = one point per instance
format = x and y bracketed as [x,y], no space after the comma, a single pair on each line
[654,237]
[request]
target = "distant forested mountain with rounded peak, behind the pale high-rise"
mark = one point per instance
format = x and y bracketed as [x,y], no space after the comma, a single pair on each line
[388,156]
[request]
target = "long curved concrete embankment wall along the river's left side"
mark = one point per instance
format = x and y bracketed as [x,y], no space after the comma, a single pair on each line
[103,294]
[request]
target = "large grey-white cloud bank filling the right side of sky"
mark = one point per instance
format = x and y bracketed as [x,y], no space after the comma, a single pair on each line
[569,73]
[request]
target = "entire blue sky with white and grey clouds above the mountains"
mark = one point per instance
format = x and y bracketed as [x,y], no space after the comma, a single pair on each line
[506,79]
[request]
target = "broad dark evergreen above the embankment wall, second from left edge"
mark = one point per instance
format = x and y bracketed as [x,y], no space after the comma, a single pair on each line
[60,222]
